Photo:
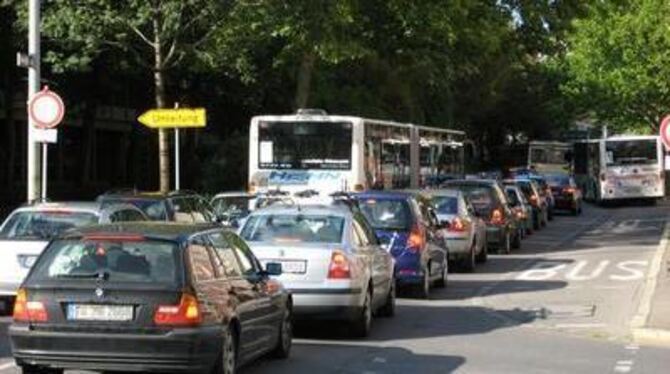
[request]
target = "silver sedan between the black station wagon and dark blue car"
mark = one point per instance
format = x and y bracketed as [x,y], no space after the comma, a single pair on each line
[331,262]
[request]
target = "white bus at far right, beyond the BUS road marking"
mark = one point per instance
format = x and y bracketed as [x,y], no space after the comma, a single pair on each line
[621,167]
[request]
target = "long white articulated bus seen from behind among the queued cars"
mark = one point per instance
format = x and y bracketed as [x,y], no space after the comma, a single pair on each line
[312,150]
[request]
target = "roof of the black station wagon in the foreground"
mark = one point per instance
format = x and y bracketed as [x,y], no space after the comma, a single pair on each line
[150,229]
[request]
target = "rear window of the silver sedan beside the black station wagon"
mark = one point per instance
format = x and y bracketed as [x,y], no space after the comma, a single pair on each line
[294,228]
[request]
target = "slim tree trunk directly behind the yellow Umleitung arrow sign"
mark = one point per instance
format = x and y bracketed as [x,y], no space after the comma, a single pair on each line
[159,82]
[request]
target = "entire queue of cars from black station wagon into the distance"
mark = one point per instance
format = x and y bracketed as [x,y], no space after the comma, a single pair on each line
[208,286]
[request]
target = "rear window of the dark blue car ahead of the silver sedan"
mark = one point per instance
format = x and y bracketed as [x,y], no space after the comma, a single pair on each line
[387,214]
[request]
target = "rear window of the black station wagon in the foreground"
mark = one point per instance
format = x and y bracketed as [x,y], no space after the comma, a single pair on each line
[122,261]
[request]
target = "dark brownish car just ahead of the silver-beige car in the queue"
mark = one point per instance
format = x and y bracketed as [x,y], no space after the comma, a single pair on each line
[491,204]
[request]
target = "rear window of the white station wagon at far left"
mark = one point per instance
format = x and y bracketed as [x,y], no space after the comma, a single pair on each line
[44,224]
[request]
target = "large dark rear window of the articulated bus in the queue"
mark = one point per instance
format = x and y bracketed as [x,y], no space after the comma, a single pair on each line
[305,145]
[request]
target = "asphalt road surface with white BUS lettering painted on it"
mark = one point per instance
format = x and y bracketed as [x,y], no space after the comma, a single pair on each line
[561,304]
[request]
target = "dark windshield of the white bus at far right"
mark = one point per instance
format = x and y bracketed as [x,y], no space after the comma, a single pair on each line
[631,152]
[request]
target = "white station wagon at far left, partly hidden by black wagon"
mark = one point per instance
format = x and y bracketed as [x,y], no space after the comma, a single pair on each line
[28,229]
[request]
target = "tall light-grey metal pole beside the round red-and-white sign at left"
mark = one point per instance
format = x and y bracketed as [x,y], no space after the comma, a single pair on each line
[33,173]
